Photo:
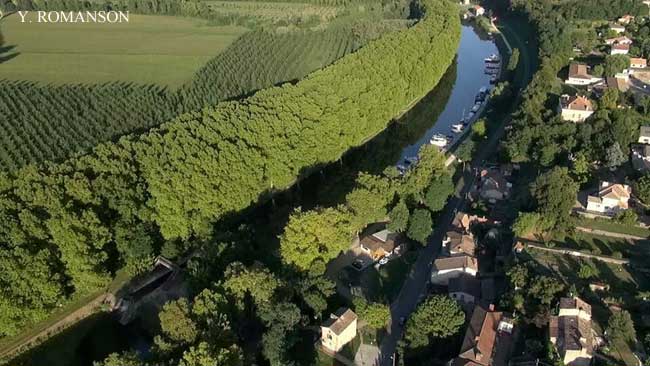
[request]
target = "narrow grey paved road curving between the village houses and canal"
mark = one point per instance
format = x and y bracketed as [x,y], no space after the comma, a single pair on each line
[414,287]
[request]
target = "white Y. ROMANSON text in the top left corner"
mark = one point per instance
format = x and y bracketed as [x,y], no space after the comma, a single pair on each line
[76,17]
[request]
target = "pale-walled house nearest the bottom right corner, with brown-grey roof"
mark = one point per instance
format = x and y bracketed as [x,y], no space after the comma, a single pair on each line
[570,332]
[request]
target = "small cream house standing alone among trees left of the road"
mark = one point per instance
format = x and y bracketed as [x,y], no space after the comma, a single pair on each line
[338,330]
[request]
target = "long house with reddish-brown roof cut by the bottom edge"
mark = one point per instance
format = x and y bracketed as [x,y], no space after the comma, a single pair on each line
[488,340]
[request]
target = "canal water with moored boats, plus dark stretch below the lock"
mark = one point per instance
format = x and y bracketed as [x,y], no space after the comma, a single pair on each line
[96,337]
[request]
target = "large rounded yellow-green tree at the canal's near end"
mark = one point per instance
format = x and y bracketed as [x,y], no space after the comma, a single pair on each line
[318,234]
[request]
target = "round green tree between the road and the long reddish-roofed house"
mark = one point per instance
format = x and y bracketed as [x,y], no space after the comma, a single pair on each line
[438,316]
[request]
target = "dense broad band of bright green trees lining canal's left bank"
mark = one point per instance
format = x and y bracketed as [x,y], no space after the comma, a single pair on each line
[67,227]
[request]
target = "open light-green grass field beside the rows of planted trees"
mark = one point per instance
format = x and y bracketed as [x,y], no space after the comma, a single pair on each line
[161,50]
